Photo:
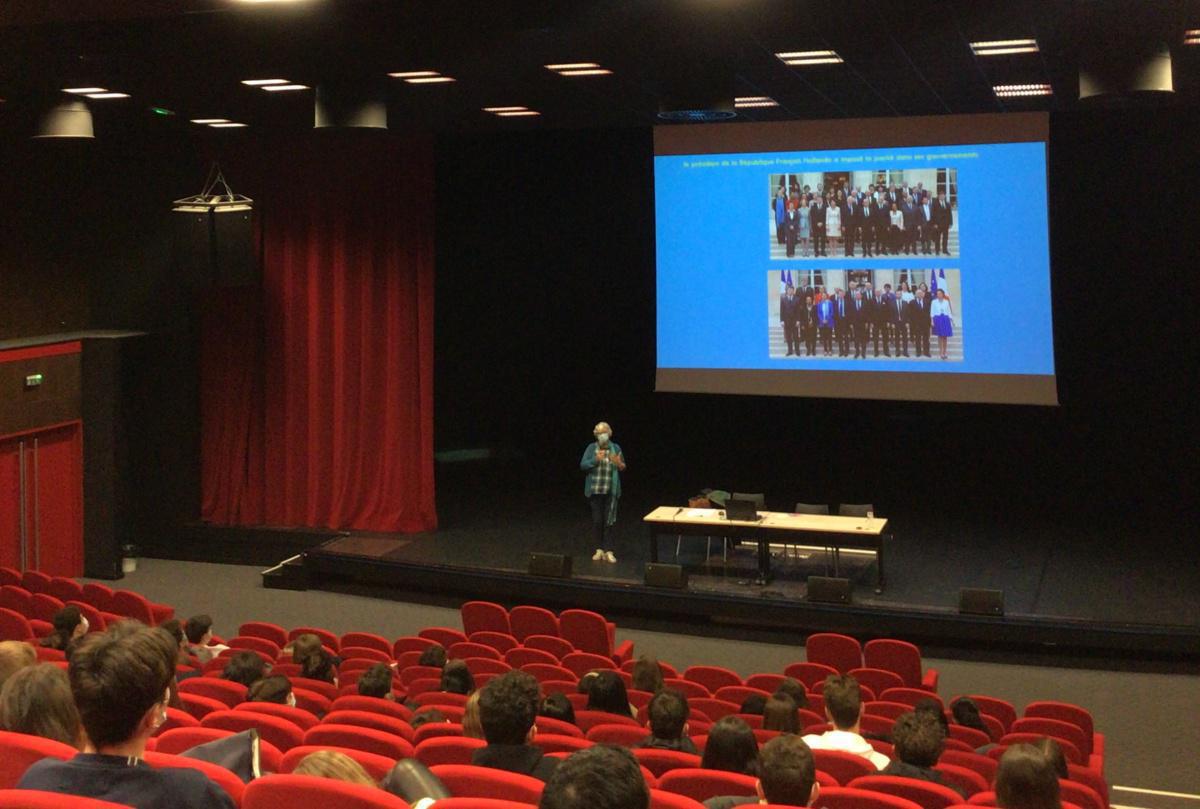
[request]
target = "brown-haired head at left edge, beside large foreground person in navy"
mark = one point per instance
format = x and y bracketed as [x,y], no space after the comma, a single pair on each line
[38,702]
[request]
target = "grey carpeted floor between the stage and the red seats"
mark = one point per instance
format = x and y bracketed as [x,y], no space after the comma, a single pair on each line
[1150,720]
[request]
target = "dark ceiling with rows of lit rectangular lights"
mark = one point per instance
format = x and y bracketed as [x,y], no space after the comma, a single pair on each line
[902,57]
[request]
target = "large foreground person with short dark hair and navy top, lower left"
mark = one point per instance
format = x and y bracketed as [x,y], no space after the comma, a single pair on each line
[119,681]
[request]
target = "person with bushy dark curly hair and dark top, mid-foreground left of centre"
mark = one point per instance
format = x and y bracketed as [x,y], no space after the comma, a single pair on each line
[508,709]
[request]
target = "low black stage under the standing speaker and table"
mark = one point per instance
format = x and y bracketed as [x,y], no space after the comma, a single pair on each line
[1065,590]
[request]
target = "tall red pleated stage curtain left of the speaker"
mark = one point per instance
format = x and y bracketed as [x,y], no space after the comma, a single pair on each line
[343,432]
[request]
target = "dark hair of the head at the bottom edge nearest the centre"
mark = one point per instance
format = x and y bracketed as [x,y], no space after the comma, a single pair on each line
[602,777]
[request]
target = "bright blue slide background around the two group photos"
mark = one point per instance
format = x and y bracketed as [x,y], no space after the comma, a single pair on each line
[713,257]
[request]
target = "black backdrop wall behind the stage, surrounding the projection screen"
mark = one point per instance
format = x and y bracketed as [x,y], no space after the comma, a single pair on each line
[547,307]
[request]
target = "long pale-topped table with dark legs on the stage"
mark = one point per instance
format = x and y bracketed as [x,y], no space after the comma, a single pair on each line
[833,532]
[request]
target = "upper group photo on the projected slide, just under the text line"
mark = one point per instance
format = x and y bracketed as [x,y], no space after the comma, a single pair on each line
[871,214]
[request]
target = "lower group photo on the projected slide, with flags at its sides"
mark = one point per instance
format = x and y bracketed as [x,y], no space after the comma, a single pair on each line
[855,314]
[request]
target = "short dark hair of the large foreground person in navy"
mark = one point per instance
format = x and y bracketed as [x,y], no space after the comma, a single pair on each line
[118,676]
